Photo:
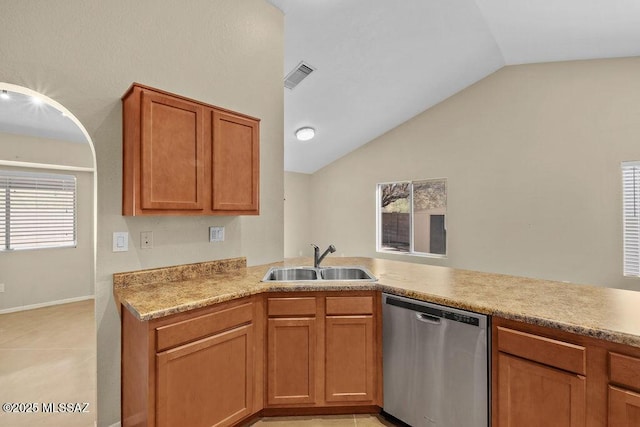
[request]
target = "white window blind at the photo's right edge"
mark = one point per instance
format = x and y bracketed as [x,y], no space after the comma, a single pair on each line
[631,217]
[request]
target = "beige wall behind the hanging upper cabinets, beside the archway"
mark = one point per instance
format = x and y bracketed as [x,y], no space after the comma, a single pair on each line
[85,55]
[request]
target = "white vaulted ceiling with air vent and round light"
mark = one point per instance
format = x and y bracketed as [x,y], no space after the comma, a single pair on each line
[381,62]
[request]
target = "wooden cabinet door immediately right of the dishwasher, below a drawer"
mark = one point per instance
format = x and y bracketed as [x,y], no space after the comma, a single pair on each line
[530,394]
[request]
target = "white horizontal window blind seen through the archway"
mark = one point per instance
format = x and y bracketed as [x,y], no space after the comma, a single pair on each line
[37,210]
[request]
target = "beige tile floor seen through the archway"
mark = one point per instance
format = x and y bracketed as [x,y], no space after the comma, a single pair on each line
[48,355]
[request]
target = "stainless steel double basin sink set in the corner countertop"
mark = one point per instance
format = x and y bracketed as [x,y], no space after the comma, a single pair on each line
[304,274]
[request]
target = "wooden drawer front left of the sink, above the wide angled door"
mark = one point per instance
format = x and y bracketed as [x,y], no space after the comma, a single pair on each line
[208,324]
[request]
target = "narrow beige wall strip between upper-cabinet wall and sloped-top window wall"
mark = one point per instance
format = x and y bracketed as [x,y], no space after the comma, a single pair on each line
[297,215]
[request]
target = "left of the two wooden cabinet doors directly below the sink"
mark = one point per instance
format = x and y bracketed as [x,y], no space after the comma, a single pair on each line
[291,361]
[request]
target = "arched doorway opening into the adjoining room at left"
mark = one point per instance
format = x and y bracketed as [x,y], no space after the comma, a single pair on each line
[47,260]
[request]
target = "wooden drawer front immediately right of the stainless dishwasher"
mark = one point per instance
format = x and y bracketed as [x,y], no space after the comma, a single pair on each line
[558,354]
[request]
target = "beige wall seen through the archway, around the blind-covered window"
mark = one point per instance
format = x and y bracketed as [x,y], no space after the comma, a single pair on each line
[48,275]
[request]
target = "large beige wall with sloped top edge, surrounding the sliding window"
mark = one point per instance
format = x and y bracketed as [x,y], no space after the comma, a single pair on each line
[532,157]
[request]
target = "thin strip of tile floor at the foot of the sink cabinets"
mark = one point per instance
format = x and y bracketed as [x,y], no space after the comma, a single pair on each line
[325,420]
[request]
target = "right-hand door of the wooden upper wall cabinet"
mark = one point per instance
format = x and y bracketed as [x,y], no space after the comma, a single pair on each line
[235,163]
